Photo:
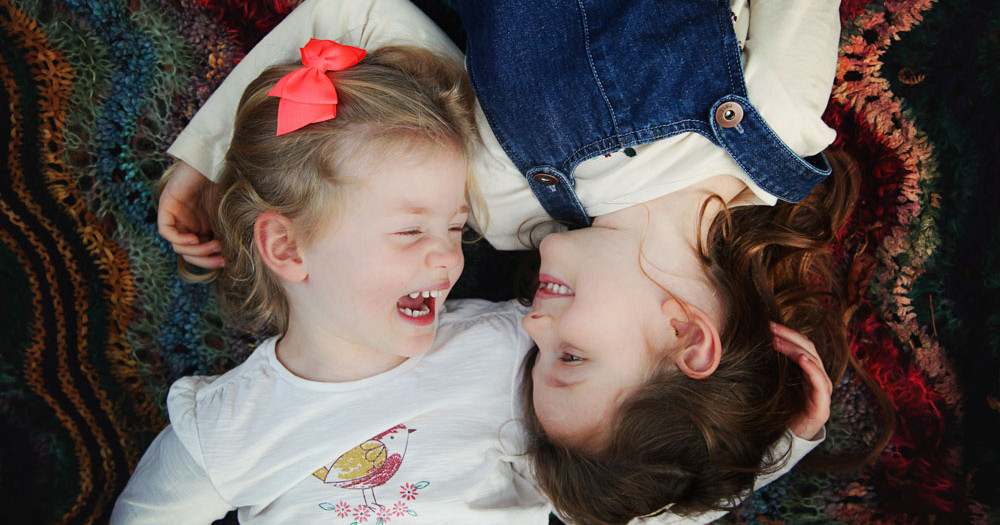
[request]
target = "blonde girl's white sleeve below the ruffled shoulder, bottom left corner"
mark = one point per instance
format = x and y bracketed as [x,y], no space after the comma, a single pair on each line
[168,487]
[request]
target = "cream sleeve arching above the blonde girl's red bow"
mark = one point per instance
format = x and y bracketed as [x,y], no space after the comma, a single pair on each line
[368,24]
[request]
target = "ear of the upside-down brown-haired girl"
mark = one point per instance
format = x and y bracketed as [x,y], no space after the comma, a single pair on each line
[699,347]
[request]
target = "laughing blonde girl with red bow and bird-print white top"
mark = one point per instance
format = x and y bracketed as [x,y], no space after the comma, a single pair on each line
[343,239]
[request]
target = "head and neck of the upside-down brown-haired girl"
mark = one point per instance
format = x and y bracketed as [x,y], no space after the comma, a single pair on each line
[654,408]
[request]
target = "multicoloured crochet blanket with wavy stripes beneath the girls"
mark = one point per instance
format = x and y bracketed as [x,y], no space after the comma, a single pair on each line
[96,324]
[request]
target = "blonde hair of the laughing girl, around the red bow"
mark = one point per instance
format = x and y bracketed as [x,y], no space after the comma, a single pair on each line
[397,99]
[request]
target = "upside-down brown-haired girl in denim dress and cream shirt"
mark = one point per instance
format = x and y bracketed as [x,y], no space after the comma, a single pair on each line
[650,290]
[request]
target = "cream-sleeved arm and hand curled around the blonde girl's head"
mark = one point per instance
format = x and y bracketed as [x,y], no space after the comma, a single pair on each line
[202,146]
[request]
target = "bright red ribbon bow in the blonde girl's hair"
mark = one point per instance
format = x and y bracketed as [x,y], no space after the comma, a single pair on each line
[307,94]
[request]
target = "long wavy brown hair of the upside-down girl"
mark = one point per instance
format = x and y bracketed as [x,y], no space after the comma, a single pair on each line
[698,444]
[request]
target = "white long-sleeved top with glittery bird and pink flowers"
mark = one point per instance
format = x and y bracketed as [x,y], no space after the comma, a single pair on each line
[435,440]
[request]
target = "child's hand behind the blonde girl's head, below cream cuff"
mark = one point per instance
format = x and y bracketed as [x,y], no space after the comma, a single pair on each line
[182,219]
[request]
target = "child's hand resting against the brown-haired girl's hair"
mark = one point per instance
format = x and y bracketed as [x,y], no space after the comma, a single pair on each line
[818,388]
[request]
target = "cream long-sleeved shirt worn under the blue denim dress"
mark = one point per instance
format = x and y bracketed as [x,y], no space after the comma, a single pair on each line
[789,56]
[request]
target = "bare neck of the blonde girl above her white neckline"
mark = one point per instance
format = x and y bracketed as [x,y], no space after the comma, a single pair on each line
[326,358]
